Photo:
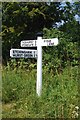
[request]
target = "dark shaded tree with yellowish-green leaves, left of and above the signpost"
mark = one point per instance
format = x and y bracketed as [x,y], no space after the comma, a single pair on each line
[23,21]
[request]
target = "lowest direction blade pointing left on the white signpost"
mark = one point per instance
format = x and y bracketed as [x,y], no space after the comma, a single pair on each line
[23,53]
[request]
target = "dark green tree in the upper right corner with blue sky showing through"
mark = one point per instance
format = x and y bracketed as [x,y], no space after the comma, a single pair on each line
[72,27]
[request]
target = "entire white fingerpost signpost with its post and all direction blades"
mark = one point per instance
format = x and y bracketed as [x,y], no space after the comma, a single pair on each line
[29,53]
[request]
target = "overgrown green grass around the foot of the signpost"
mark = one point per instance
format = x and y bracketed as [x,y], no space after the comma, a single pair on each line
[59,97]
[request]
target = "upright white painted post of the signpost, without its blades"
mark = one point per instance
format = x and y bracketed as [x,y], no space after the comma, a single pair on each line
[39,66]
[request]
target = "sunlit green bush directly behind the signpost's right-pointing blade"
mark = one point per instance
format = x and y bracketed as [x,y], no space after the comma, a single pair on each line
[62,55]
